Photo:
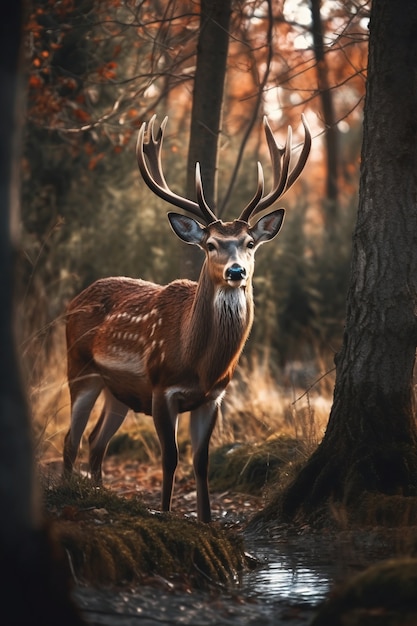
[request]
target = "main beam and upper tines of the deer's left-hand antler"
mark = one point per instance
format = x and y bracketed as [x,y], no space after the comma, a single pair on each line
[151,170]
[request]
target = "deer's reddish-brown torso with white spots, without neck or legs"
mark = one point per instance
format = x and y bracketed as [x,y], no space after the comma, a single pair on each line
[129,332]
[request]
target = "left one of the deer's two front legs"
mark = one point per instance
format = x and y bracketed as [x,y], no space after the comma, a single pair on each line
[165,417]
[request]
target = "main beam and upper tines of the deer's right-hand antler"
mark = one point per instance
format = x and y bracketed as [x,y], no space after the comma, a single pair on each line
[283,177]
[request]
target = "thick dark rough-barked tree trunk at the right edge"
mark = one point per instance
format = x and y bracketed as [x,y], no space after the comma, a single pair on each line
[370,442]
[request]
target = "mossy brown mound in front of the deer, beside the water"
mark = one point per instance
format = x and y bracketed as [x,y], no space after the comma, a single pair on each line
[111,540]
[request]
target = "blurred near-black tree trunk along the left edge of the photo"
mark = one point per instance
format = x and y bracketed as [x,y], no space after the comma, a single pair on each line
[15,446]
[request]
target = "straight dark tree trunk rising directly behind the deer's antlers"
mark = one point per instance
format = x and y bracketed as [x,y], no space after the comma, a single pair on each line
[212,49]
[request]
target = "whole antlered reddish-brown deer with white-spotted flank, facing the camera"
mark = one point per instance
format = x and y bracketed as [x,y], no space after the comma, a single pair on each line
[163,350]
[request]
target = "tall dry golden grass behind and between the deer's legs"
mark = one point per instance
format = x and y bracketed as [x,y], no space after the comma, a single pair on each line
[258,406]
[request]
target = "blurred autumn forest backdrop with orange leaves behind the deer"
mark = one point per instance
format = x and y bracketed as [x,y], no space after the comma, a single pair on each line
[97,70]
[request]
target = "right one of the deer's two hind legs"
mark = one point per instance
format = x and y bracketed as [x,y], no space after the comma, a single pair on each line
[110,420]
